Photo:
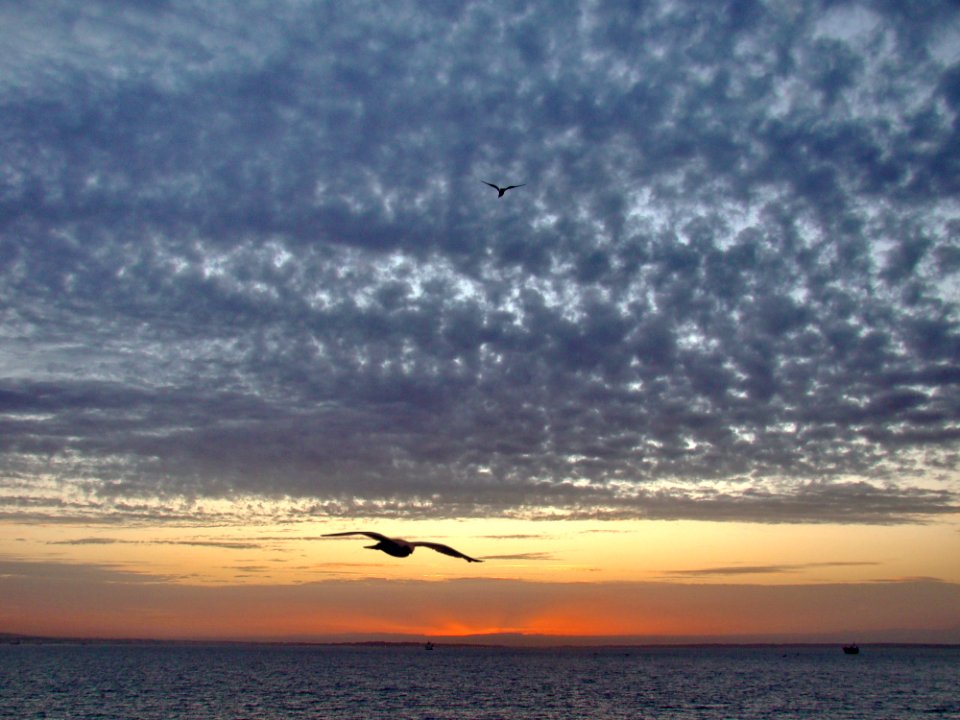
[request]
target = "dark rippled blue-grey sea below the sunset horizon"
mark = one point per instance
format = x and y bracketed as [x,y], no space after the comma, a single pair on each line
[196,682]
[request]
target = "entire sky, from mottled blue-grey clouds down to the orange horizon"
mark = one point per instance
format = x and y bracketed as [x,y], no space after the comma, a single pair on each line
[699,377]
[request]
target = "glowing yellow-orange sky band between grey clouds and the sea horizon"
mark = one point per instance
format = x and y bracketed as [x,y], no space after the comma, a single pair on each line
[683,580]
